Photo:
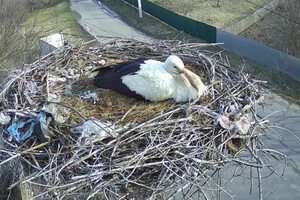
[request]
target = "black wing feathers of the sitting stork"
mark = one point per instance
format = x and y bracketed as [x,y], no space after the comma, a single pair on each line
[111,77]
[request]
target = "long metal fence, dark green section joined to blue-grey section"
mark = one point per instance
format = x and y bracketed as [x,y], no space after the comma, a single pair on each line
[246,47]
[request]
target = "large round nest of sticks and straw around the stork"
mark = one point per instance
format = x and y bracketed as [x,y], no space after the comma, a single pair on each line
[140,149]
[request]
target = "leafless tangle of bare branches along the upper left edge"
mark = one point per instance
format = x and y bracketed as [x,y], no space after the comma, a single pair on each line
[17,42]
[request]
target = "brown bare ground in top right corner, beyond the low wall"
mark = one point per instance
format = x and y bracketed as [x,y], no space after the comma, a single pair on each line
[279,29]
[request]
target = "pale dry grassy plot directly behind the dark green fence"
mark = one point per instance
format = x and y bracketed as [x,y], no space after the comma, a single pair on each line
[219,13]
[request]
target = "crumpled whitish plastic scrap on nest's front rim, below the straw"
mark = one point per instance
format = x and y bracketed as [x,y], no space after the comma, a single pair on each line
[94,130]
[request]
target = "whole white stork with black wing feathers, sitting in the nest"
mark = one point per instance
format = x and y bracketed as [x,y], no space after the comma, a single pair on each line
[152,80]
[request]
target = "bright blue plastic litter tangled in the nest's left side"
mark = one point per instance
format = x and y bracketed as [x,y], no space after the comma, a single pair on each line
[13,129]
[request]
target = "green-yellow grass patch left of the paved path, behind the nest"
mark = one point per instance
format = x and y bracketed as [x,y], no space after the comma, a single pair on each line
[55,19]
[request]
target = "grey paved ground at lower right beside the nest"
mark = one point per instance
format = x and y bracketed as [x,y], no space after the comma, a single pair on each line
[285,138]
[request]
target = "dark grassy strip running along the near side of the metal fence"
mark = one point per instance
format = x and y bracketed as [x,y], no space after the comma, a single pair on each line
[282,84]
